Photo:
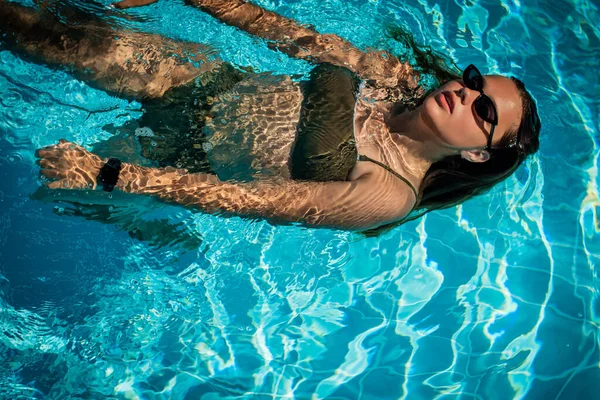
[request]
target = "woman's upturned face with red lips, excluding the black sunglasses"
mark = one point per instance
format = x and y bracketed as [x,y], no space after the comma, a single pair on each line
[450,113]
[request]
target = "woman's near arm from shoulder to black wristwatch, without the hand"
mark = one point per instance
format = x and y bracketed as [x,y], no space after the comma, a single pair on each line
[353,205]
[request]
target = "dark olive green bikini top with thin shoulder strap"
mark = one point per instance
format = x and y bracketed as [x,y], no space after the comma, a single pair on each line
[325,147]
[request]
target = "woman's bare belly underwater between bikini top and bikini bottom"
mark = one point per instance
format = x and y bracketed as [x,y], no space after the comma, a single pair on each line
[251,131]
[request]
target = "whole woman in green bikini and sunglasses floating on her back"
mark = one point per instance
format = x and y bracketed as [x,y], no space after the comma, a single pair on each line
[357,146]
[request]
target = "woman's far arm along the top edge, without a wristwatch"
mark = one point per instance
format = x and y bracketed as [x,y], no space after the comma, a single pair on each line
[304,42]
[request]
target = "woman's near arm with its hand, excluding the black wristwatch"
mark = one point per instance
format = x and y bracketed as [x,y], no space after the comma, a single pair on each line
[364,203]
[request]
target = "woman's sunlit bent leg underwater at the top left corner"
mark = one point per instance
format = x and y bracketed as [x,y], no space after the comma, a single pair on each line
[127,64]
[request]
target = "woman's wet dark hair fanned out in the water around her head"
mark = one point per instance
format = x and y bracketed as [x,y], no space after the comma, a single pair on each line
[453,180]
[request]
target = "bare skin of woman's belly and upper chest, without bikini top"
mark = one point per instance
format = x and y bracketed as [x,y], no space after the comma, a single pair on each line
[251,131]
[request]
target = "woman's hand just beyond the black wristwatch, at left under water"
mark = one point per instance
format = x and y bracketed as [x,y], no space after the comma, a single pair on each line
[68,166]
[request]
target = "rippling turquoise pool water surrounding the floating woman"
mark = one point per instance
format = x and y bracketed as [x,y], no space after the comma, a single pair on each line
[495,299]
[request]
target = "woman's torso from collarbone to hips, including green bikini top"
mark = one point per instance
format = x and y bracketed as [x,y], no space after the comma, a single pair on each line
[251,130]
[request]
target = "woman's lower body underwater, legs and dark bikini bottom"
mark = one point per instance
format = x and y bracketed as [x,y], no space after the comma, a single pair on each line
[159,72]
